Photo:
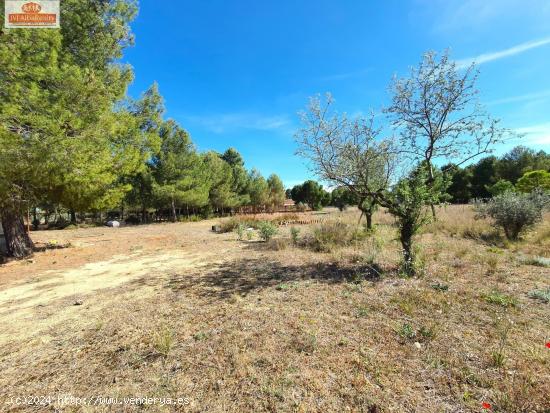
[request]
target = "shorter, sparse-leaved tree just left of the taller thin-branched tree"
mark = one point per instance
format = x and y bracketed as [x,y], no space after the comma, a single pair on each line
[347,152]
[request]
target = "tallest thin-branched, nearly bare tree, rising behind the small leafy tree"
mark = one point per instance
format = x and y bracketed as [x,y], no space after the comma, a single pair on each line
[438,115]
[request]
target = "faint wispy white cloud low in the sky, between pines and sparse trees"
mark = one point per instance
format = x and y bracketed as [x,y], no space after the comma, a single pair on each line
[220,123]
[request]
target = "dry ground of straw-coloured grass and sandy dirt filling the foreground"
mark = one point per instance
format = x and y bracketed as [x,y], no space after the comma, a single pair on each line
[177,311]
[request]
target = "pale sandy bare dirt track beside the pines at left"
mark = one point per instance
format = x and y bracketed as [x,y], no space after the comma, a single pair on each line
[36,295]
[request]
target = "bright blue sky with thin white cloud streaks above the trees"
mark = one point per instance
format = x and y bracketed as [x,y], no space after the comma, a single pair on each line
[236,73]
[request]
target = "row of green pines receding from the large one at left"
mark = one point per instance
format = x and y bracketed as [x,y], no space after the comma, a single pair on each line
[72,138]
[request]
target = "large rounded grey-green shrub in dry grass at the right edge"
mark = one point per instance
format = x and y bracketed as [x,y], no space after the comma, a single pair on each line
[515,213]
